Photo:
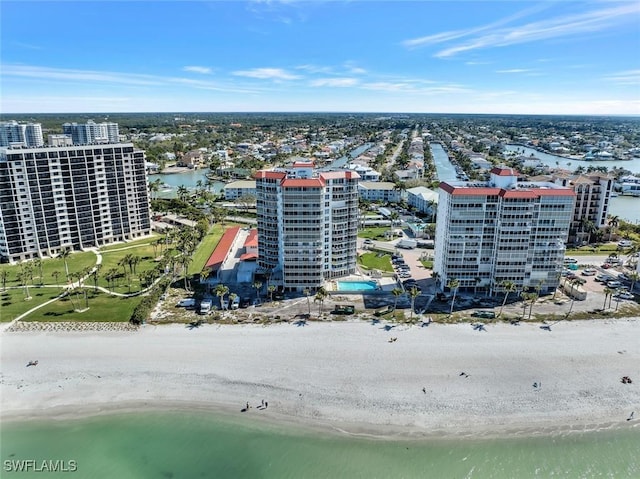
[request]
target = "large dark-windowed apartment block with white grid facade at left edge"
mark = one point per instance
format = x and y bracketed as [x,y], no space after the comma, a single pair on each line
[75,197]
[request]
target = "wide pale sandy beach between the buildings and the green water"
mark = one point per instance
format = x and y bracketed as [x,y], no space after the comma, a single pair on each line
[345,376]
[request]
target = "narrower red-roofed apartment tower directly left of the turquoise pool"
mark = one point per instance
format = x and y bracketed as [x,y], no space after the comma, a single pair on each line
[307,225]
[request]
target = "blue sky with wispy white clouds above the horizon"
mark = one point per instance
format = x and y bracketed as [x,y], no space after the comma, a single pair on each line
[564,57]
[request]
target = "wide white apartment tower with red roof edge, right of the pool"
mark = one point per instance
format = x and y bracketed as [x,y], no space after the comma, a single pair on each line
[502,230]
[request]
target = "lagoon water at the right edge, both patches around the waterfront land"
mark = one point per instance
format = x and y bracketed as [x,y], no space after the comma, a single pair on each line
[625,207]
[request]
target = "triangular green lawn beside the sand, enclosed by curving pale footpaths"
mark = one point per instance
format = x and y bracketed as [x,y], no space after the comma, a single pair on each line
[102,307]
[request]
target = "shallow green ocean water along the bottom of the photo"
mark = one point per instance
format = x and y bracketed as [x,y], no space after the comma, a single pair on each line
[206,445]
